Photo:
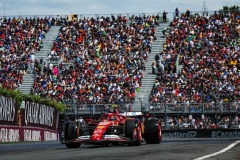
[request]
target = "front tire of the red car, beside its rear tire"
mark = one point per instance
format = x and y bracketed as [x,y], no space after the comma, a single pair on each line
[133,131]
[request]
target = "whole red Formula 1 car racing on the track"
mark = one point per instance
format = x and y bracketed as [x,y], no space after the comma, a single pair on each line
[113,128]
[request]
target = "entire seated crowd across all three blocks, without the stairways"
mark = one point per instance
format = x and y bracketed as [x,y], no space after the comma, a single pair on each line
[108,55]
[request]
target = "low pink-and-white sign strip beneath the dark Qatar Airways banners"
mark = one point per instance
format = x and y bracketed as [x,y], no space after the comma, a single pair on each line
[17,134]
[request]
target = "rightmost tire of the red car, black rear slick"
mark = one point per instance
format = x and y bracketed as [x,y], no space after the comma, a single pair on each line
[152,131]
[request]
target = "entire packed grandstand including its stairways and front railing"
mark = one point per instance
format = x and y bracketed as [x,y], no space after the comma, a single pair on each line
[186,66]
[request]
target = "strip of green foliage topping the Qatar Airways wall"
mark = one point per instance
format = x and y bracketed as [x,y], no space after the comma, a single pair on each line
[19,97]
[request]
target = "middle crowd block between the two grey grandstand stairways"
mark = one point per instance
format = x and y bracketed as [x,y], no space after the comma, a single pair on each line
[106,59]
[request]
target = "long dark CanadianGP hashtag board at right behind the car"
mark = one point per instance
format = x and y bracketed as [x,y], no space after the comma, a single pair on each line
[202,133]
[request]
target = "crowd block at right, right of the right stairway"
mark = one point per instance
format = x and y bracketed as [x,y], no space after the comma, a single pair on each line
[207,46]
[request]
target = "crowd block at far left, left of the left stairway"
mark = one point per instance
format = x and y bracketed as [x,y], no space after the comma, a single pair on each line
[20,39]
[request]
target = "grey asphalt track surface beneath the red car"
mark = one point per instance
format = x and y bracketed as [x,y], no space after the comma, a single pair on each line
[168,150]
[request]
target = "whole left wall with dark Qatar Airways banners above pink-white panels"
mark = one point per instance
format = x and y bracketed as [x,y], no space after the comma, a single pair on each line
[31,122]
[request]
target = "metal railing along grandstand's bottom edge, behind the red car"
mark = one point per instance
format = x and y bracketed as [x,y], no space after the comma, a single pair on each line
[168,108]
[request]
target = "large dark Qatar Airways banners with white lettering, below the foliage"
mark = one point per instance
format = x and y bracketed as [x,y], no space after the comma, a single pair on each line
[30,114]
